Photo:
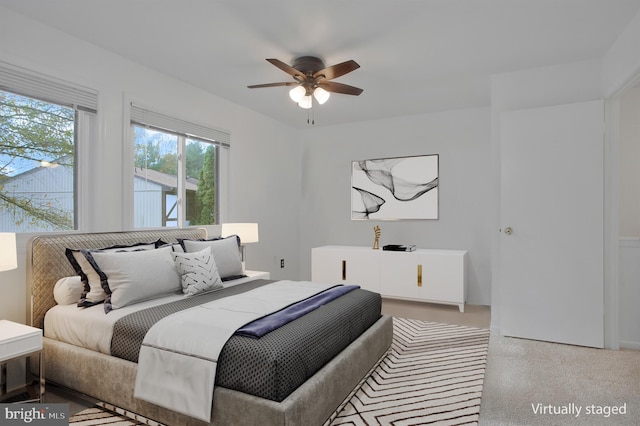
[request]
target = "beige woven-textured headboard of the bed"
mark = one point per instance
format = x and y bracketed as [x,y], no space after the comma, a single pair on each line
[47,263]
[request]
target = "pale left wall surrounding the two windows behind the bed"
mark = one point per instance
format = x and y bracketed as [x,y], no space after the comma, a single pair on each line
[265,155]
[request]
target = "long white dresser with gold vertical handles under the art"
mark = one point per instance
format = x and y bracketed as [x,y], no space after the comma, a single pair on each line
[436,276]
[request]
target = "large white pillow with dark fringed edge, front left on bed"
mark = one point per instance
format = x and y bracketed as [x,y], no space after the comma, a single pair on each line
[135,276]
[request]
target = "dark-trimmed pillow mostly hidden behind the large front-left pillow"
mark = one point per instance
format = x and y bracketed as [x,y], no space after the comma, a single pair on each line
[93,292]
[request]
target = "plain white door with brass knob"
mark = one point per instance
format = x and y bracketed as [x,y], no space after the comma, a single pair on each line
[551,261]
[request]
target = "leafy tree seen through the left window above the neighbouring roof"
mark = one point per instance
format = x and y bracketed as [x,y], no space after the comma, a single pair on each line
[33,132]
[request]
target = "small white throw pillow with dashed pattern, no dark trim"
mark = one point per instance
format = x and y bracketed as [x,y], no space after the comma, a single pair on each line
[198,271]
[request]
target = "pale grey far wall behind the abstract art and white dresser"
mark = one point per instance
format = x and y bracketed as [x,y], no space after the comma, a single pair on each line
[462,140]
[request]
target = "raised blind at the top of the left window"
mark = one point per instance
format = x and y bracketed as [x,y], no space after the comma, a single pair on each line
[25,82]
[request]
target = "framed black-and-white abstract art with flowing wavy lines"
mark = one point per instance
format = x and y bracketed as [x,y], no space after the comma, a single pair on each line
[395,188]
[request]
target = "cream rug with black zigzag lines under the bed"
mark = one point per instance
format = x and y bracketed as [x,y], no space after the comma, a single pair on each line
[432,374]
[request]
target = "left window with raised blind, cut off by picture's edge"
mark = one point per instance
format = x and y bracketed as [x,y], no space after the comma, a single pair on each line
[40,123]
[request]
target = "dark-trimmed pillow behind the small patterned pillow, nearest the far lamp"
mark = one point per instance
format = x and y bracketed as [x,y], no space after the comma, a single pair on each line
[226,254]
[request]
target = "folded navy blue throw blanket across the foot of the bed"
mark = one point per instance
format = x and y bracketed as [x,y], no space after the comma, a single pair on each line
[264,325]
